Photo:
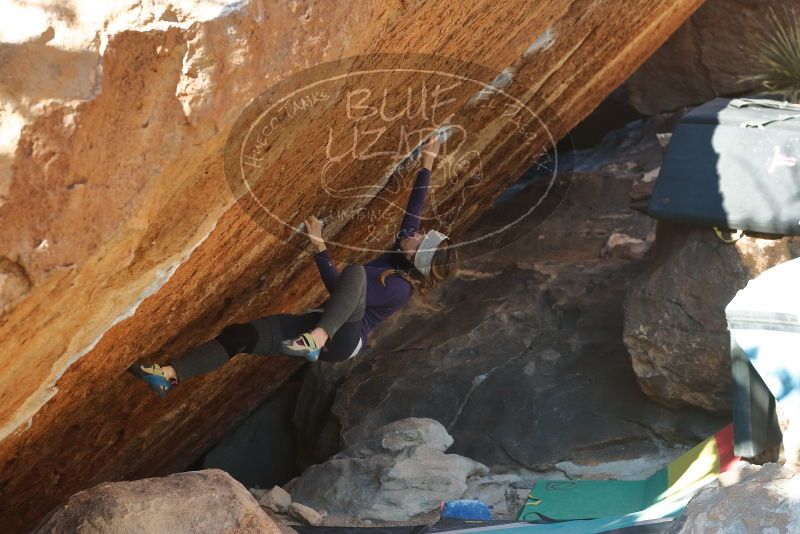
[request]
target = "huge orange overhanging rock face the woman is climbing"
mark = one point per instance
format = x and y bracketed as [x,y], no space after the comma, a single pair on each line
[149,189]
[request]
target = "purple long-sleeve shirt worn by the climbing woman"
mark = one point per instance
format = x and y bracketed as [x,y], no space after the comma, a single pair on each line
[384,301]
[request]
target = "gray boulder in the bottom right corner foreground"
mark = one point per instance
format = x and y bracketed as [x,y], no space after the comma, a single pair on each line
[766,499]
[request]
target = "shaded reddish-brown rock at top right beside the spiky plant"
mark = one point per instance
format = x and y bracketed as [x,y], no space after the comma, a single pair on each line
[705,58]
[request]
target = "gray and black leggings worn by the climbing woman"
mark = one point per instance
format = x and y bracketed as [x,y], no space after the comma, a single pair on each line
[341,318]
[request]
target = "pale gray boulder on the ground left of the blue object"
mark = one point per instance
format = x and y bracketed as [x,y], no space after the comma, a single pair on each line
[399,473]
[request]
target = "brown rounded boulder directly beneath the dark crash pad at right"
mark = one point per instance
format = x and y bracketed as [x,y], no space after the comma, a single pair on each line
[675,326]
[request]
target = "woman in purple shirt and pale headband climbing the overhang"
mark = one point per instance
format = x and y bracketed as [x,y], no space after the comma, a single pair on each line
[361,297]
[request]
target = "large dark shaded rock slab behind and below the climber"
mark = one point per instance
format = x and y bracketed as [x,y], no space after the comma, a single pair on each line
[525,365]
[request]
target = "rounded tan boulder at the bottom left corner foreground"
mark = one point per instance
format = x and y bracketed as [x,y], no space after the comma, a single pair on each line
[196,502]
